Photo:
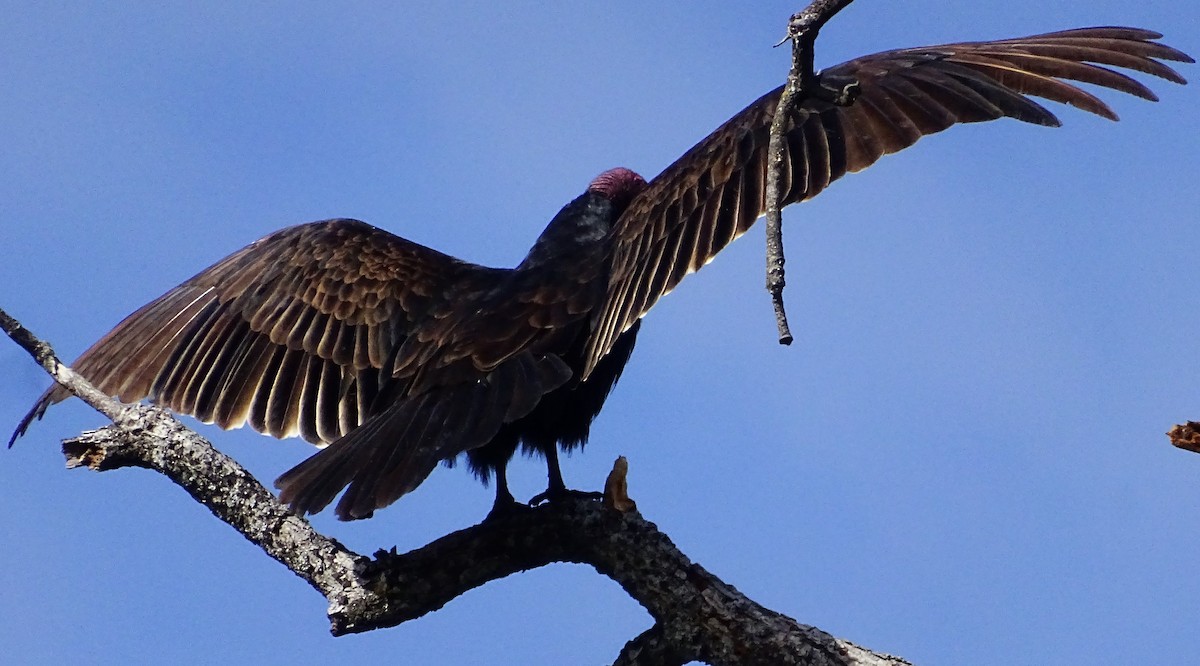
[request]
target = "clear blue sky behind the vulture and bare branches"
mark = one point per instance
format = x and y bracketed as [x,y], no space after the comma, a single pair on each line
[962,459]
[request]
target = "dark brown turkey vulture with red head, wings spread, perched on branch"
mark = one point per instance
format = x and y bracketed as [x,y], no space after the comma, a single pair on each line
[395,357]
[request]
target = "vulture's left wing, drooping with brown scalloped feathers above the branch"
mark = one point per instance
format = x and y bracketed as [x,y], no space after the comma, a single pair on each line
[293,334]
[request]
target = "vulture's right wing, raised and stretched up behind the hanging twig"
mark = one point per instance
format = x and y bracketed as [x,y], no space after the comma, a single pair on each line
[716,191]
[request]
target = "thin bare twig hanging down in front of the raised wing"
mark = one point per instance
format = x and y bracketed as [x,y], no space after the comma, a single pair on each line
[802,82]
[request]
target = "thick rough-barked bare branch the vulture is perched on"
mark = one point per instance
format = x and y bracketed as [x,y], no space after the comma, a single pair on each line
[698,616]
